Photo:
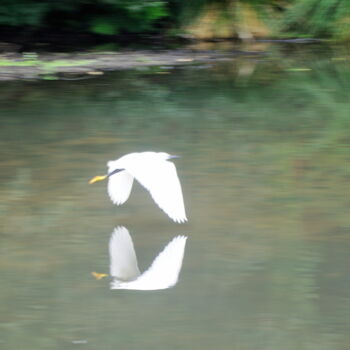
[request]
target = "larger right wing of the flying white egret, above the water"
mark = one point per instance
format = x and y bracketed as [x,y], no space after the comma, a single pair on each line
[161,180]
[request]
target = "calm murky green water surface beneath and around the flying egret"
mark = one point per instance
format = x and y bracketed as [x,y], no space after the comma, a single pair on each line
[265,168]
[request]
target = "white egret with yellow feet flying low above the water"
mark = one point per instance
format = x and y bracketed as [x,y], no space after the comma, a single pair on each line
[153,171]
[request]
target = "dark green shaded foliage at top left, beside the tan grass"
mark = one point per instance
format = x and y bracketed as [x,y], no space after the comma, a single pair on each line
[100,17]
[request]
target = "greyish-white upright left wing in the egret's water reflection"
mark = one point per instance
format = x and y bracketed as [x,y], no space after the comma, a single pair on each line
[123,261]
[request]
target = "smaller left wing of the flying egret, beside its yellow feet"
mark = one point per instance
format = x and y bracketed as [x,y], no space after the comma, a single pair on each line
[119,187]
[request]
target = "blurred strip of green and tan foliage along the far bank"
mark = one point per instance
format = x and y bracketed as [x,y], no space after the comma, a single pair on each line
[203,19]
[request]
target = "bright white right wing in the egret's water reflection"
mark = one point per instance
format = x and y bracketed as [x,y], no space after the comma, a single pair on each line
[165,269]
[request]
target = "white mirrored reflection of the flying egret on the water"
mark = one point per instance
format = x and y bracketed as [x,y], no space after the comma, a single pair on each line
[163,272]
